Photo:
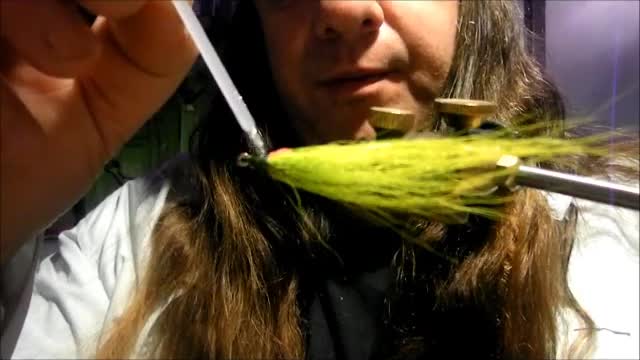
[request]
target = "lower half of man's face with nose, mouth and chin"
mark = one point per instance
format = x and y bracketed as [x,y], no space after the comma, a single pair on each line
[333,60]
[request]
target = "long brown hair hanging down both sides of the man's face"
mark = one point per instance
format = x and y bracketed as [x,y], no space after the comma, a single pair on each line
[228,252]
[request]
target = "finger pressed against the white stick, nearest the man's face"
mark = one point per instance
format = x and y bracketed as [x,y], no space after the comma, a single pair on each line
[145,57]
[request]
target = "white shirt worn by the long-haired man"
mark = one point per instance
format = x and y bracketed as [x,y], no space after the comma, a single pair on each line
[80,288]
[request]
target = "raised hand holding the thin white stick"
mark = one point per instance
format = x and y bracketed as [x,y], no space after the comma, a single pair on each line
[72,94]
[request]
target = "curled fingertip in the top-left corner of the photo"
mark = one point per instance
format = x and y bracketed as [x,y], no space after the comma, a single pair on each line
[51,35]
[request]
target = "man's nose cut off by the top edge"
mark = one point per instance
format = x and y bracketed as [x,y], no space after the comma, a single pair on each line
[347,18]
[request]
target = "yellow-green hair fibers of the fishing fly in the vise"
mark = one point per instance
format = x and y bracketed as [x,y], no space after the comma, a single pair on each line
[444,178]
